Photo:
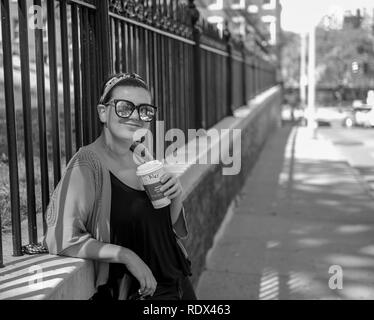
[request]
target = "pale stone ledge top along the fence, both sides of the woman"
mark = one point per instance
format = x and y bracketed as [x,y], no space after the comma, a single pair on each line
[48,277]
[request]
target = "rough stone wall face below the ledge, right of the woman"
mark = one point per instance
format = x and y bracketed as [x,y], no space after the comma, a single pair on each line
[207,203]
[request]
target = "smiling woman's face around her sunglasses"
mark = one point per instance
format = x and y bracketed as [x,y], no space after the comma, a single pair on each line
[124,129]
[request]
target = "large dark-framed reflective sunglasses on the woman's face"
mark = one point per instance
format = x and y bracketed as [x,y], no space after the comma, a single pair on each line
[125,108]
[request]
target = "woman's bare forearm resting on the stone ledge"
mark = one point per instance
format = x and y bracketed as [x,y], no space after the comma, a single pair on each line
[100,251]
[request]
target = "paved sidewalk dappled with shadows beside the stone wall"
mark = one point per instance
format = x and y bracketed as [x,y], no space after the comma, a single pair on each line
[302,210]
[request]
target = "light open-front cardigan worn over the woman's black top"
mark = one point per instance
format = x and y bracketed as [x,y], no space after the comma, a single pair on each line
[79,209]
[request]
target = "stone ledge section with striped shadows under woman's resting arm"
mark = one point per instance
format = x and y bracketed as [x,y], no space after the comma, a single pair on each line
[47,277]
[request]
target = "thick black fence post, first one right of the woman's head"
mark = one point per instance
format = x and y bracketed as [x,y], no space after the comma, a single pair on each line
[200,121]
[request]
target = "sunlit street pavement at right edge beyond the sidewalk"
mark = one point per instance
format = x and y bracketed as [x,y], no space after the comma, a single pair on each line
[356,145]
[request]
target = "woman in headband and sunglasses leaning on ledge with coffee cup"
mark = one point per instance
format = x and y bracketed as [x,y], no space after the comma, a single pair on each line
[100,211]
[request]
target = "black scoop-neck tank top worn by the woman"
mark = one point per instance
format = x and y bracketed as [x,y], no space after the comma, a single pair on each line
[136,225]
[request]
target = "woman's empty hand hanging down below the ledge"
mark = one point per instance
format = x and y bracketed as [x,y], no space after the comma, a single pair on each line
[142,273]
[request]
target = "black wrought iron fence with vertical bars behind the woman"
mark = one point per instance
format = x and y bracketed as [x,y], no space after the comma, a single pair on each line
[197,77]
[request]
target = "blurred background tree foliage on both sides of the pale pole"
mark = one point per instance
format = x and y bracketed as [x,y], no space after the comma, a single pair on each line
[336,52]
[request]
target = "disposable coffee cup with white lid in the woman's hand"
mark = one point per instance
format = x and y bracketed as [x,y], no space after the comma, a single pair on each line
[150,175]
